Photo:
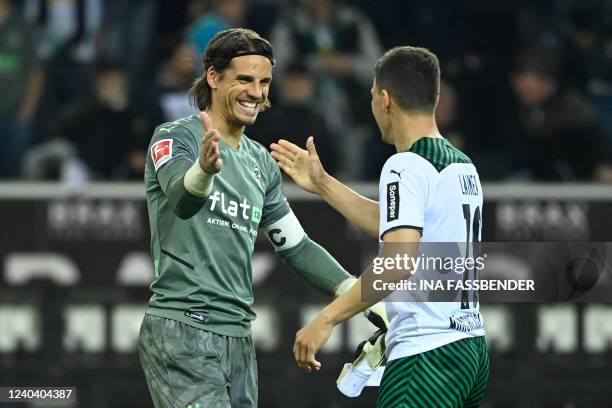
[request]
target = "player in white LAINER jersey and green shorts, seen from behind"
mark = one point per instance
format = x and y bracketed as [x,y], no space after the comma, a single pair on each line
[429,192]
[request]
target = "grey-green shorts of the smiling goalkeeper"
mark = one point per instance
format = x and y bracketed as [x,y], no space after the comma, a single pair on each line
[187,367]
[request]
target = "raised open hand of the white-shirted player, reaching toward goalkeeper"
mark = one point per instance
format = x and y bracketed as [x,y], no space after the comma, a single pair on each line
[303,166]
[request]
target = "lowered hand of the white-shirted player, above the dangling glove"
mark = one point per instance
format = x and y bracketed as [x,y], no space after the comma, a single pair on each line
[309,340]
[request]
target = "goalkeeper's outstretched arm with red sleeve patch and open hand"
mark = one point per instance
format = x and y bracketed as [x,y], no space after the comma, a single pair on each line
[184,174]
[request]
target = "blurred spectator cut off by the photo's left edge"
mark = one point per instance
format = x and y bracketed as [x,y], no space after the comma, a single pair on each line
[20,81]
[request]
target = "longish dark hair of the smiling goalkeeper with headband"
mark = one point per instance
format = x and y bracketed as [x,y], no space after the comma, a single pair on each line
[223,47]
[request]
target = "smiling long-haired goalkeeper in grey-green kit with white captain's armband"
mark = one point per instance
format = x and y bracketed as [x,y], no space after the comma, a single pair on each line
[209,189]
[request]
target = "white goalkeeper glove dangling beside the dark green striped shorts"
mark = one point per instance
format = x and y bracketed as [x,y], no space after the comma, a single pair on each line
[369,357]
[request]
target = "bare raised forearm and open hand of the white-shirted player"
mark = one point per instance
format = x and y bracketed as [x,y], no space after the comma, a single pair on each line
[305,168]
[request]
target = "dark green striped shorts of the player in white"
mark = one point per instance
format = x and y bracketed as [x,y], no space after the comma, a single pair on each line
[454,375]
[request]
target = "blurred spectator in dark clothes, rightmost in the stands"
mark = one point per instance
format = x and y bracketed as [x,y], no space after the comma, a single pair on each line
[557,132]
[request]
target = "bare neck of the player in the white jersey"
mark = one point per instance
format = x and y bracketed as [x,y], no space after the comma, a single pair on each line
[407,129]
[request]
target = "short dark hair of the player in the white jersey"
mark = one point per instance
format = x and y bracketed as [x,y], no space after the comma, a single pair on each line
[412,76]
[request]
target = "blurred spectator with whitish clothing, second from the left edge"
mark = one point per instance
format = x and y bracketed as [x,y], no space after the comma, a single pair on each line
[66,32]
